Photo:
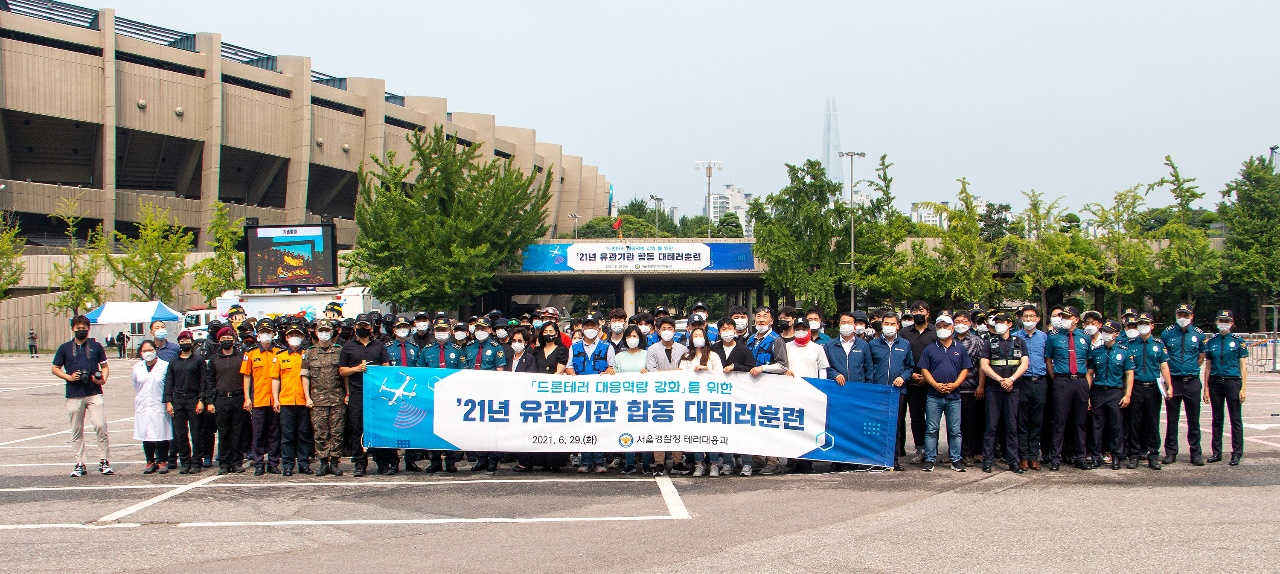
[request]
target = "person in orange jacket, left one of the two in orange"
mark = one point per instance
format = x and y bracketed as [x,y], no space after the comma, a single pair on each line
[259,363]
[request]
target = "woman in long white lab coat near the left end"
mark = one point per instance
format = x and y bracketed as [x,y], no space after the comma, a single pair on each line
[152,423]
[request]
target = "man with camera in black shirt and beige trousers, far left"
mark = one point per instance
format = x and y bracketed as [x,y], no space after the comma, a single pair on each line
[83,365]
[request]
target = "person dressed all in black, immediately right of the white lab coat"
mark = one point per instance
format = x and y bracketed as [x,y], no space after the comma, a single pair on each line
[185,402]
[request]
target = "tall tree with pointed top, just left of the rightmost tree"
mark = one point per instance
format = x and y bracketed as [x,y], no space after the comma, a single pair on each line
[1187,262]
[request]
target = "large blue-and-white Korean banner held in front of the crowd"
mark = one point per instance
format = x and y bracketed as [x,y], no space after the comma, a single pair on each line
[769,416]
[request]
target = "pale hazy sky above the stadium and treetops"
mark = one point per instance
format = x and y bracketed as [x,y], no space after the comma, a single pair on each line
[1073,99]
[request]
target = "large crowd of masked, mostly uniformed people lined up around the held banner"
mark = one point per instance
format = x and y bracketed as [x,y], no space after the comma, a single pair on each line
[286,395]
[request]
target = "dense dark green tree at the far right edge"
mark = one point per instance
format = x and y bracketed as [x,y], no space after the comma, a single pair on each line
[1251,208]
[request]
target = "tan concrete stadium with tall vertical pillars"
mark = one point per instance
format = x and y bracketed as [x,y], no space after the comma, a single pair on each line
[117,113]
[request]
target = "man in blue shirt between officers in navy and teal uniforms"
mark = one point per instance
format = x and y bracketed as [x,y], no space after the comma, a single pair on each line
[1032,390]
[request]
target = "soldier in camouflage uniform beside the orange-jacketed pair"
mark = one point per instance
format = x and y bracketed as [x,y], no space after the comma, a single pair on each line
[327,397]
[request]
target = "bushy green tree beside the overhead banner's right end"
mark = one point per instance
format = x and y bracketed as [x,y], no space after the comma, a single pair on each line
[796,231]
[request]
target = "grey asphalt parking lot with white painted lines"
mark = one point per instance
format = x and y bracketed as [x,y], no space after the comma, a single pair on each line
[1212,520]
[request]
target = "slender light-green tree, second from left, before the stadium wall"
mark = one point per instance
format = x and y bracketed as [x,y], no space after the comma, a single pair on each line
[77,277]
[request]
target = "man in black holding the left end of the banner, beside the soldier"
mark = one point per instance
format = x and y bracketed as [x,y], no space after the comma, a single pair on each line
[354,361]
